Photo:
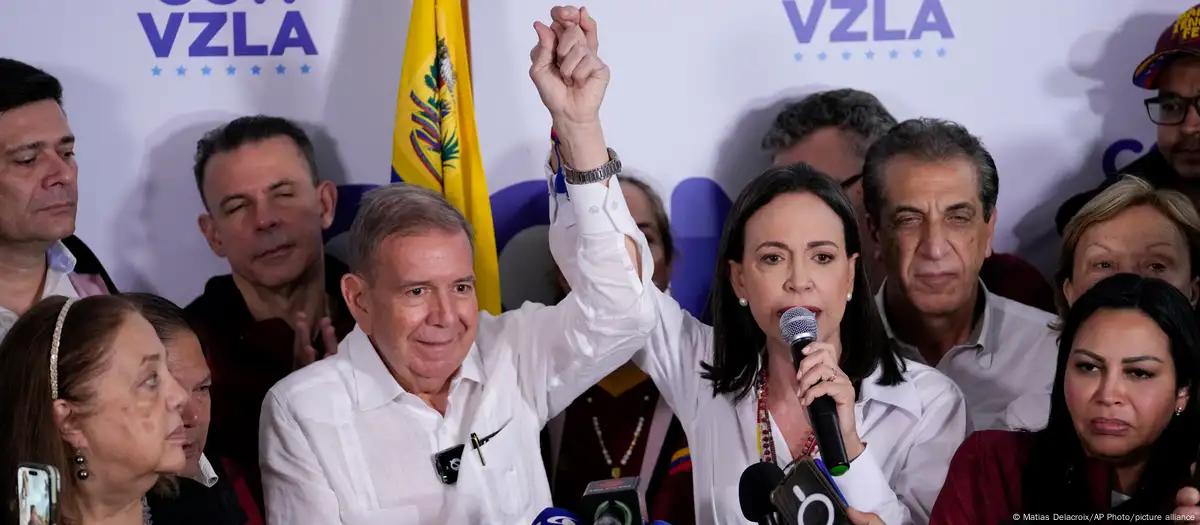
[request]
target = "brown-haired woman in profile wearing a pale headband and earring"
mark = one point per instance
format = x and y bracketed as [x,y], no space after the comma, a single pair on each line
[85,389]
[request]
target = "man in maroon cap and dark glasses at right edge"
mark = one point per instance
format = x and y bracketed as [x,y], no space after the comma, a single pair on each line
[1174,70]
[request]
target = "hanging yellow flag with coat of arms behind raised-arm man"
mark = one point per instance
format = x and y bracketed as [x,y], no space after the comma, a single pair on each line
[435,143]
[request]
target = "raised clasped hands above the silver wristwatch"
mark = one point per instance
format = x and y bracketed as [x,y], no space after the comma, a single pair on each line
[571,77]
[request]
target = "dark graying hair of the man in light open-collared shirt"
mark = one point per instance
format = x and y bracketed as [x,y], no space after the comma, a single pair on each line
[932,141]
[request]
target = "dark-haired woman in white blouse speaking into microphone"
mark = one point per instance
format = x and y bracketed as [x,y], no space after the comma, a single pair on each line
[793,240]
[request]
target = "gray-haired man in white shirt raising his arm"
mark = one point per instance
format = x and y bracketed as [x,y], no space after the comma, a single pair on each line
[430,413]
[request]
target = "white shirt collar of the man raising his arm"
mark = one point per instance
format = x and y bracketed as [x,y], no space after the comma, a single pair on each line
[374,384]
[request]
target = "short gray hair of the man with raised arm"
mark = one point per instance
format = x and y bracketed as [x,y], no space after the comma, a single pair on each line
[400,209]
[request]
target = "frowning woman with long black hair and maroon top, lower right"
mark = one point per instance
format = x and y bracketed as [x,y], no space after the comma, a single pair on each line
[1124,427]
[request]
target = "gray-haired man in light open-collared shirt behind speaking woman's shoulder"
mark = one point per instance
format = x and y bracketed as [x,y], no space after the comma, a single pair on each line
[931,190]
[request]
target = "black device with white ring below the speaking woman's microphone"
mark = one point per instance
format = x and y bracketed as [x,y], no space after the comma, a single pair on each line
[808,498]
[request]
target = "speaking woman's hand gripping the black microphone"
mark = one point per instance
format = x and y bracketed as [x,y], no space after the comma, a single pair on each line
[820,376]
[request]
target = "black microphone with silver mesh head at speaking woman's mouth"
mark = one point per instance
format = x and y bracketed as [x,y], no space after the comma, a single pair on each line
[800,328]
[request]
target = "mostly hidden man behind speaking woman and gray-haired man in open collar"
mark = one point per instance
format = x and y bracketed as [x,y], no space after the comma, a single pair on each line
[832,131]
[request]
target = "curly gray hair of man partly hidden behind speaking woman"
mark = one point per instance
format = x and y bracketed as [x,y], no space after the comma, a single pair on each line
[855,112]
